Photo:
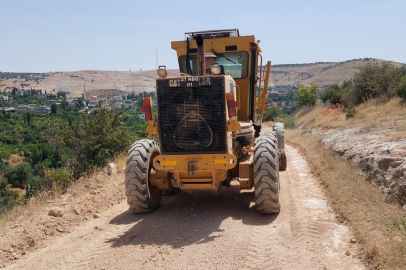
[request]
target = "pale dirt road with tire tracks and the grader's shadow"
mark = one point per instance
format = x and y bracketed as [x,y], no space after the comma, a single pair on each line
[210,232]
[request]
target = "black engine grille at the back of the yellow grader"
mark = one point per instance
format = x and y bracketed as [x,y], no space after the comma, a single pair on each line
[192,119]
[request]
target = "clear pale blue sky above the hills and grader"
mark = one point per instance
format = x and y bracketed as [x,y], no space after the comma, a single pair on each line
[71,35]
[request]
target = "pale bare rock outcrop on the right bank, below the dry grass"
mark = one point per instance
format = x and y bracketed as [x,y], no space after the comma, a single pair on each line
[382,160]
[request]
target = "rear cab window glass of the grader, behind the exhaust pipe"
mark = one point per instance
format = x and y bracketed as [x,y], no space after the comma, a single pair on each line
[235,62]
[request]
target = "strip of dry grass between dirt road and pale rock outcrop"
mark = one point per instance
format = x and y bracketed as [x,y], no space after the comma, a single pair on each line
[379,226]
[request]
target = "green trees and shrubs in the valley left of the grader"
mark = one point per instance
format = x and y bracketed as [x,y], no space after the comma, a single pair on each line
[43,153]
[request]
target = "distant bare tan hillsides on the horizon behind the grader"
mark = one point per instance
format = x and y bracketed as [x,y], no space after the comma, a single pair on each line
[283,78]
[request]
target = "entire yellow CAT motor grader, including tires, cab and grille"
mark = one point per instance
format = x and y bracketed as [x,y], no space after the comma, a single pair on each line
[208,127]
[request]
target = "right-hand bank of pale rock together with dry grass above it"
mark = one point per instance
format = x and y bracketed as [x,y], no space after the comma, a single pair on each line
[374,140]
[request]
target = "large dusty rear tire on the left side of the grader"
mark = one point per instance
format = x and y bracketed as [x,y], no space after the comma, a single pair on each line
[141,196]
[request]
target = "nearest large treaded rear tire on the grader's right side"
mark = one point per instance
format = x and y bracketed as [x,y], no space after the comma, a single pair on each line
[266,173]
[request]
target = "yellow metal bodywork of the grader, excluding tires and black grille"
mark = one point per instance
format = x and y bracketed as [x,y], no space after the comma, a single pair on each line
[211,170]
